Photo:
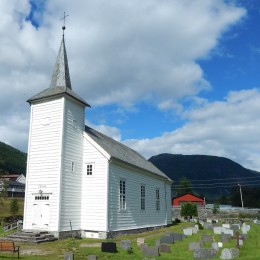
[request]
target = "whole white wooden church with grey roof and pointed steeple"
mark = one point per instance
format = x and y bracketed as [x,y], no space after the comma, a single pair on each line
[80,180]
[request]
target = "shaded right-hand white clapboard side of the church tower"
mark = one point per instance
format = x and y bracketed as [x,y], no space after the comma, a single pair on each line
[72,157]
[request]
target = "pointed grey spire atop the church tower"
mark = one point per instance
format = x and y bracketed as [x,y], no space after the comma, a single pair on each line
[61,75]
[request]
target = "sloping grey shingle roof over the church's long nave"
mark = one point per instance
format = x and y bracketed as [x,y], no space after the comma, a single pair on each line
[122,152]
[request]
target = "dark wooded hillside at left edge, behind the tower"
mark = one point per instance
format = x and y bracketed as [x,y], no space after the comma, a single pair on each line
[12,161]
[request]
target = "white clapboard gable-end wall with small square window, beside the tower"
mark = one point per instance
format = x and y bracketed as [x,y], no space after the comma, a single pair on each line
[94,189]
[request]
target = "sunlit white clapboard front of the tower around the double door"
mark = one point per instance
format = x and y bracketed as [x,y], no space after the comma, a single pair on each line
[44,155]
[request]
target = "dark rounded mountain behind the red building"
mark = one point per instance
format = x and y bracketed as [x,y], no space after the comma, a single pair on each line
[204,167]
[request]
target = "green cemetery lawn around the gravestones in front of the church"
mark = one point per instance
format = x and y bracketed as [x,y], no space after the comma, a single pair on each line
[179,250]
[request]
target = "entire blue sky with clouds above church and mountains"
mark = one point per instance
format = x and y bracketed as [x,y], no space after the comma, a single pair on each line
[161,76]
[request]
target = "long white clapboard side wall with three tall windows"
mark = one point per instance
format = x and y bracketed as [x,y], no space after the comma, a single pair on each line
[133,217]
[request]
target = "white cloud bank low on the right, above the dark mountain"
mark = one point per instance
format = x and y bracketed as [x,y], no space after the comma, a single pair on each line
[228,128]
